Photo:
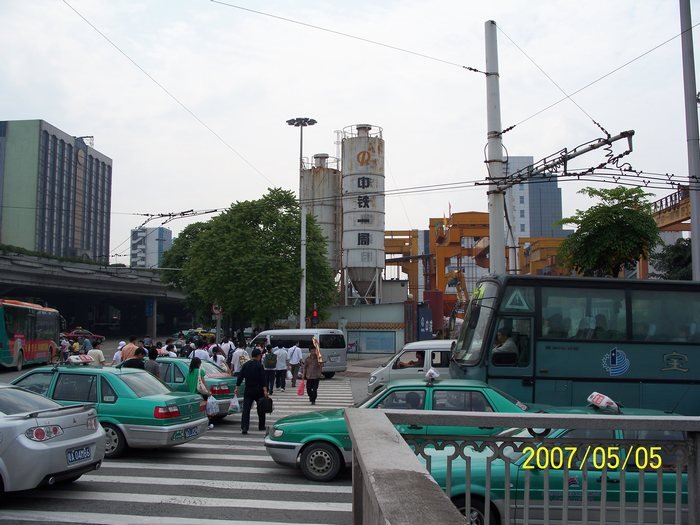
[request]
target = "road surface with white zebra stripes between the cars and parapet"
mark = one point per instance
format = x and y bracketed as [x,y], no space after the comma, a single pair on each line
[222,477]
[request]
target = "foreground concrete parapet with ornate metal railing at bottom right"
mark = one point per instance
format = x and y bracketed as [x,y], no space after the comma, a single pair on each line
[524,478]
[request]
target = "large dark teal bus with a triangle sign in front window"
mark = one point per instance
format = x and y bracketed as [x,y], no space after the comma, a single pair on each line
[554,340]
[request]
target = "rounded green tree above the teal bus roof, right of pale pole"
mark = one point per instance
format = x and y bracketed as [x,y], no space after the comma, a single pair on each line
[611,235]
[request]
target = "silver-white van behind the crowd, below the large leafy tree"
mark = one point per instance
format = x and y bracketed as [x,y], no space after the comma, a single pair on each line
[332,343]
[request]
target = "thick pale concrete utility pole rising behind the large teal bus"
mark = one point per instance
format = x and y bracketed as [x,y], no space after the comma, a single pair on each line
[494,154]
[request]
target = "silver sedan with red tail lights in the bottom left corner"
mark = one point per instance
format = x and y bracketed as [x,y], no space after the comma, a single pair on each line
[42,442]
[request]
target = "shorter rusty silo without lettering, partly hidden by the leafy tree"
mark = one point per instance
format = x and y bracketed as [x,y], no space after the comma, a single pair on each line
[320,192]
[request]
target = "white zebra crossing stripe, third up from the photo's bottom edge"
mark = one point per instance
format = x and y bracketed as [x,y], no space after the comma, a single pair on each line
[221,484]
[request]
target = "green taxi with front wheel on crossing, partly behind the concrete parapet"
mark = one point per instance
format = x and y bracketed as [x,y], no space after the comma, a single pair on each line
[319,442]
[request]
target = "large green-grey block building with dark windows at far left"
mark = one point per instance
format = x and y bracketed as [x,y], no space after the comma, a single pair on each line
[55,191]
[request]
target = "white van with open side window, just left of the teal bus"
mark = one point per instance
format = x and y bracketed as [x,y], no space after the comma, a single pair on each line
[412,362]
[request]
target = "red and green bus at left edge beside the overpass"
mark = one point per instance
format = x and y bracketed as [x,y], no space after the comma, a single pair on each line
[29,333]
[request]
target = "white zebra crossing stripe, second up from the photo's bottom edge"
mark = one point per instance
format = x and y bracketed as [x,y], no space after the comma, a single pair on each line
[198,501]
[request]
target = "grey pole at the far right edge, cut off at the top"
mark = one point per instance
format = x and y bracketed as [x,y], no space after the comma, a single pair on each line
[691,130]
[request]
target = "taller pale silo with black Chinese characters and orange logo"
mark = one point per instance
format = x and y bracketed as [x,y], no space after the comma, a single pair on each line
[363,213]
